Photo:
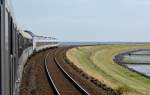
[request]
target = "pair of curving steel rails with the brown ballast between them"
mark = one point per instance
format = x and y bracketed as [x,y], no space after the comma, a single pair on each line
[59,79]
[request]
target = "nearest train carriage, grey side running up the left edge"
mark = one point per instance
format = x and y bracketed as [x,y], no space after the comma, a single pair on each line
[8,50]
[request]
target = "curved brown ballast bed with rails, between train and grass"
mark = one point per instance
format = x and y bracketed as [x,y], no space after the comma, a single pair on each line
[49,73]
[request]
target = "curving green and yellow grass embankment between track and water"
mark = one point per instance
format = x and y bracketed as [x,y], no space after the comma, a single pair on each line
[97,62]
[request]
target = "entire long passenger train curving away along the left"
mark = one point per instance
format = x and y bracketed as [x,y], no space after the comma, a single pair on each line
[17,45]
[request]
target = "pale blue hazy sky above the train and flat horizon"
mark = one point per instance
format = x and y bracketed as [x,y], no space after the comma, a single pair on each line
[86,20]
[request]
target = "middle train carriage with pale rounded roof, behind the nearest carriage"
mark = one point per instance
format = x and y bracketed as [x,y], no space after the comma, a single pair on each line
[25,50]
